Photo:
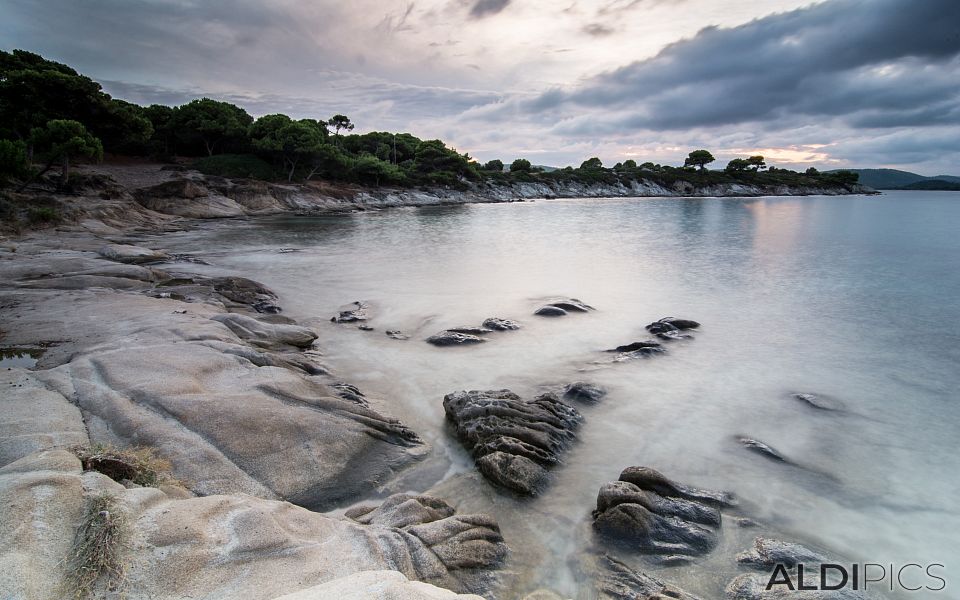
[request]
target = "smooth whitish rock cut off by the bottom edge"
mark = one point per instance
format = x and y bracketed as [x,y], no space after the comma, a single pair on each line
[376,585]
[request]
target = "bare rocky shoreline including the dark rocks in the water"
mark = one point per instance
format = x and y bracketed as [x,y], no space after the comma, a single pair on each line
[137,349]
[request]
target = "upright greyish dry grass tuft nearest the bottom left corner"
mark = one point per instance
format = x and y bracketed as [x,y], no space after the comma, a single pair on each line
[96,555]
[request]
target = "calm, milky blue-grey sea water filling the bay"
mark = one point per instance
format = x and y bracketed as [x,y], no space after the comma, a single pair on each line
[855,298]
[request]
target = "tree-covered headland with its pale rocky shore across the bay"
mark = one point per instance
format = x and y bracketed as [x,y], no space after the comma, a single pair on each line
[52,118]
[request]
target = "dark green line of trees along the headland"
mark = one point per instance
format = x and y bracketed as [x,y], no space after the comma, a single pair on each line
[51,115]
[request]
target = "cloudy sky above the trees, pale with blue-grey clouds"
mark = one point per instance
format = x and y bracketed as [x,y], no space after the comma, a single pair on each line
[831,84]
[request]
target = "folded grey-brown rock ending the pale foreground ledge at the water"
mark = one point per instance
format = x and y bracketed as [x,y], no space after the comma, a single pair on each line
[440,542]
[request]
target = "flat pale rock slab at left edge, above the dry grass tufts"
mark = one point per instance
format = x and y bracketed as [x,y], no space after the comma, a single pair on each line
[35,418]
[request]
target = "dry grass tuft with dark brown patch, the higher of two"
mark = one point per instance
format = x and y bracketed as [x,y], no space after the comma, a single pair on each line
[137,464]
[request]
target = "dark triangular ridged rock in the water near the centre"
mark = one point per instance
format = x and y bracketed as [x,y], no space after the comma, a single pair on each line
[513,441]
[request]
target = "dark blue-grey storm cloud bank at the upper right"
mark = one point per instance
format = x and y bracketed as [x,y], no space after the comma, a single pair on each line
[864,60]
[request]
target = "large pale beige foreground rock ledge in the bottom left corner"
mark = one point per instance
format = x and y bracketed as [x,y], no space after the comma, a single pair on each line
[240,546]
